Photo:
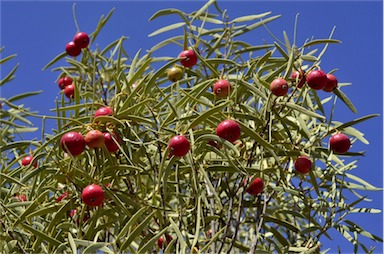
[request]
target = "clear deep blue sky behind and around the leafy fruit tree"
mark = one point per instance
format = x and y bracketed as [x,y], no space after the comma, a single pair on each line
[38,31]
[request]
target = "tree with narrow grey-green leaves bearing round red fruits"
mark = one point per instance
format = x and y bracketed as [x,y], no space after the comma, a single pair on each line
[194,192]
